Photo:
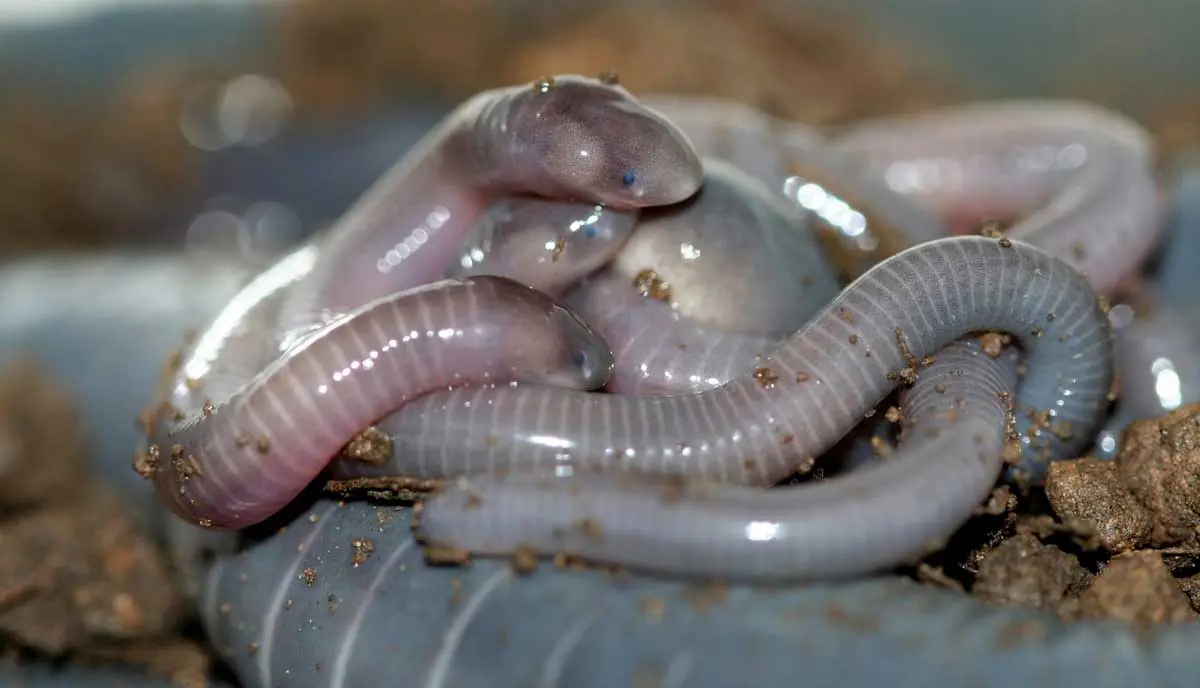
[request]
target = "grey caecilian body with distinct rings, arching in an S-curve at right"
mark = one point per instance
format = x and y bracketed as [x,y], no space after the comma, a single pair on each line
[808,394]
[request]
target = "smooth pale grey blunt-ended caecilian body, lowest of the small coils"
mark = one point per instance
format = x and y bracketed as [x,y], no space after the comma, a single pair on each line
[867,522]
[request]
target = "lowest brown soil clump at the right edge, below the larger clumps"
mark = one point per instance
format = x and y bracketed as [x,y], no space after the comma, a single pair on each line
[1137,588]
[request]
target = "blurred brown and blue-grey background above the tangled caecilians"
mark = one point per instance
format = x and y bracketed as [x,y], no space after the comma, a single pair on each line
[251,123]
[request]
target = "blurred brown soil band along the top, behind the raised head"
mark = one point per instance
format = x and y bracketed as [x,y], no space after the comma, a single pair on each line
[817,68]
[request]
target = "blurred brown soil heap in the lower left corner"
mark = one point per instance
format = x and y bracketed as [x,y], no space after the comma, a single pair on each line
[80,578]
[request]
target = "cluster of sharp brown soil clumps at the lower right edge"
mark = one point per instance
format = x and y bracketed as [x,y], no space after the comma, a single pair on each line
[1107,540]
